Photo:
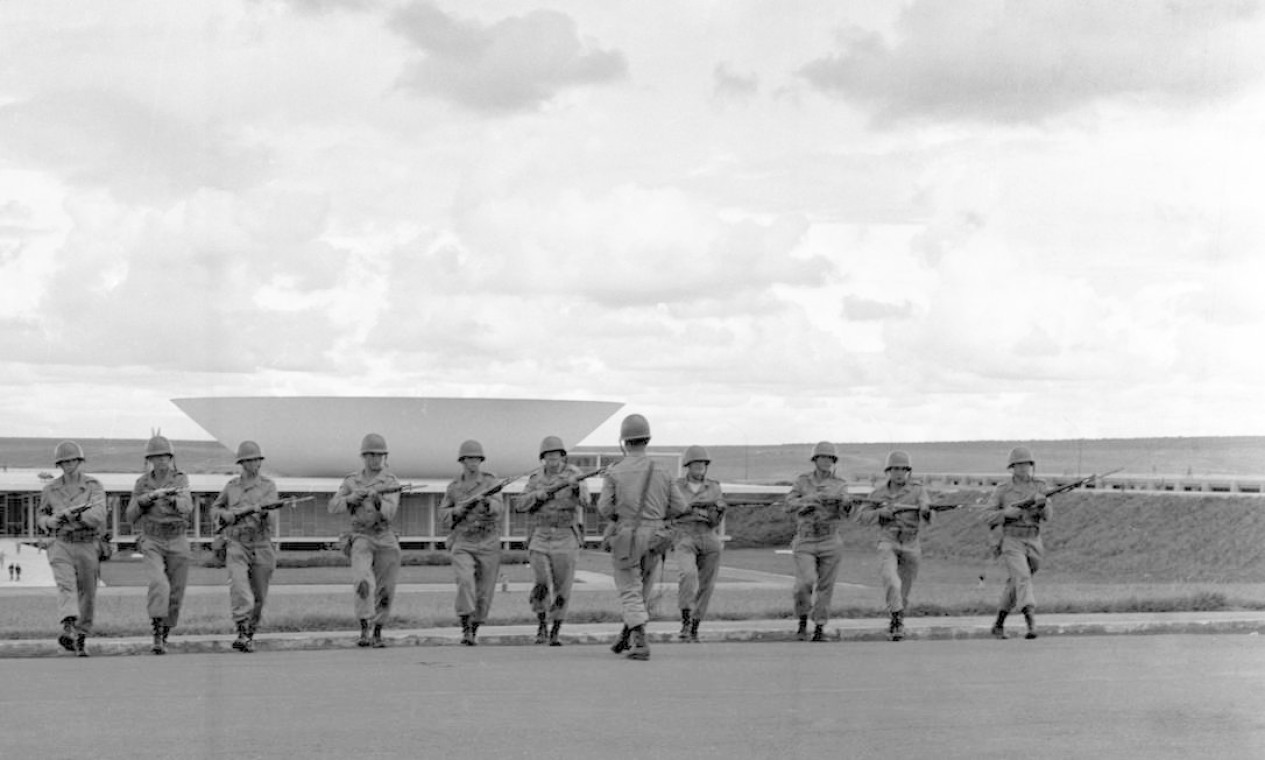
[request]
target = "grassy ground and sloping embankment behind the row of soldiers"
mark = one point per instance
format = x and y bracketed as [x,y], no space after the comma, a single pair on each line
[1106,553]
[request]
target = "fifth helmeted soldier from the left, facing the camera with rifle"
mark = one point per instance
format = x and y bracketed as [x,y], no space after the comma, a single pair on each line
[474,523]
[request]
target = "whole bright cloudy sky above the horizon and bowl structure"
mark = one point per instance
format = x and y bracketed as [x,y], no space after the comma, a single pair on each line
[755,222]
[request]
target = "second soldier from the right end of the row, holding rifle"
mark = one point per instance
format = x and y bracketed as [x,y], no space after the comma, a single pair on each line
[900,508]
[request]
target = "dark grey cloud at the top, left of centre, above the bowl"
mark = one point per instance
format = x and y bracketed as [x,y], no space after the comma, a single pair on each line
[513,65]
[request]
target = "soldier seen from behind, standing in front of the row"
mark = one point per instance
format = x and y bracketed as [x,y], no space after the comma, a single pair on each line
[639,498]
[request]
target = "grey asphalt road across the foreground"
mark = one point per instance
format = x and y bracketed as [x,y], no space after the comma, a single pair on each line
[1077,697]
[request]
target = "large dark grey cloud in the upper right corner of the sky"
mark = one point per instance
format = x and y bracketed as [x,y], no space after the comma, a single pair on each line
[1003,61]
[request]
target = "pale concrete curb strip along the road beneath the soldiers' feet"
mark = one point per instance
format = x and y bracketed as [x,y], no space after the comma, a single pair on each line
[666,633]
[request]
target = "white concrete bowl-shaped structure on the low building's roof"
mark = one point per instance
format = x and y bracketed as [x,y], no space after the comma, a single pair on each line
[321,436]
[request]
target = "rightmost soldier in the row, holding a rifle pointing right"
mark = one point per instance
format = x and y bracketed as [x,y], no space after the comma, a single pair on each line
[1019,509]
